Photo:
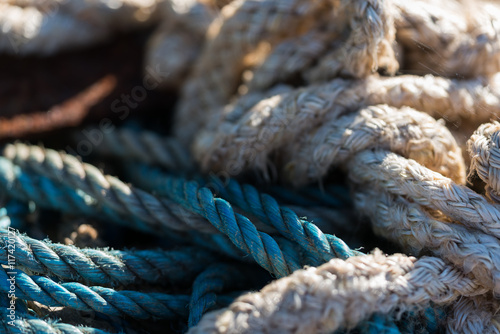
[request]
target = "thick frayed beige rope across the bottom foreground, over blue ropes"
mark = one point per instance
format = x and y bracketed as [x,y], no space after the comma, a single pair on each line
[346,292]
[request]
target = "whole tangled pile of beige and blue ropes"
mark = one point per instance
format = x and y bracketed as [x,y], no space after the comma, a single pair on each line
[297,122]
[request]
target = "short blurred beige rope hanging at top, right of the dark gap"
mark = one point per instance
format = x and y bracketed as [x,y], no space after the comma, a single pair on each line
[181,36]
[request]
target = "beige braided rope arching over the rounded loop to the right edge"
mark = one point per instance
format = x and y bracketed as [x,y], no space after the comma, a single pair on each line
[302,110]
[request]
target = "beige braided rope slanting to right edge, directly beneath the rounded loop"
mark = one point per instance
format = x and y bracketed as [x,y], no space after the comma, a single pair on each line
[408,178]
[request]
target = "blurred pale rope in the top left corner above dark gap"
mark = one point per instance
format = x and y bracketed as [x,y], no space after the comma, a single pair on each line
[45,27]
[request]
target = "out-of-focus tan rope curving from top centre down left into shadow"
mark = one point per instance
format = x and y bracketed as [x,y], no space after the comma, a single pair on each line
[242,26]
